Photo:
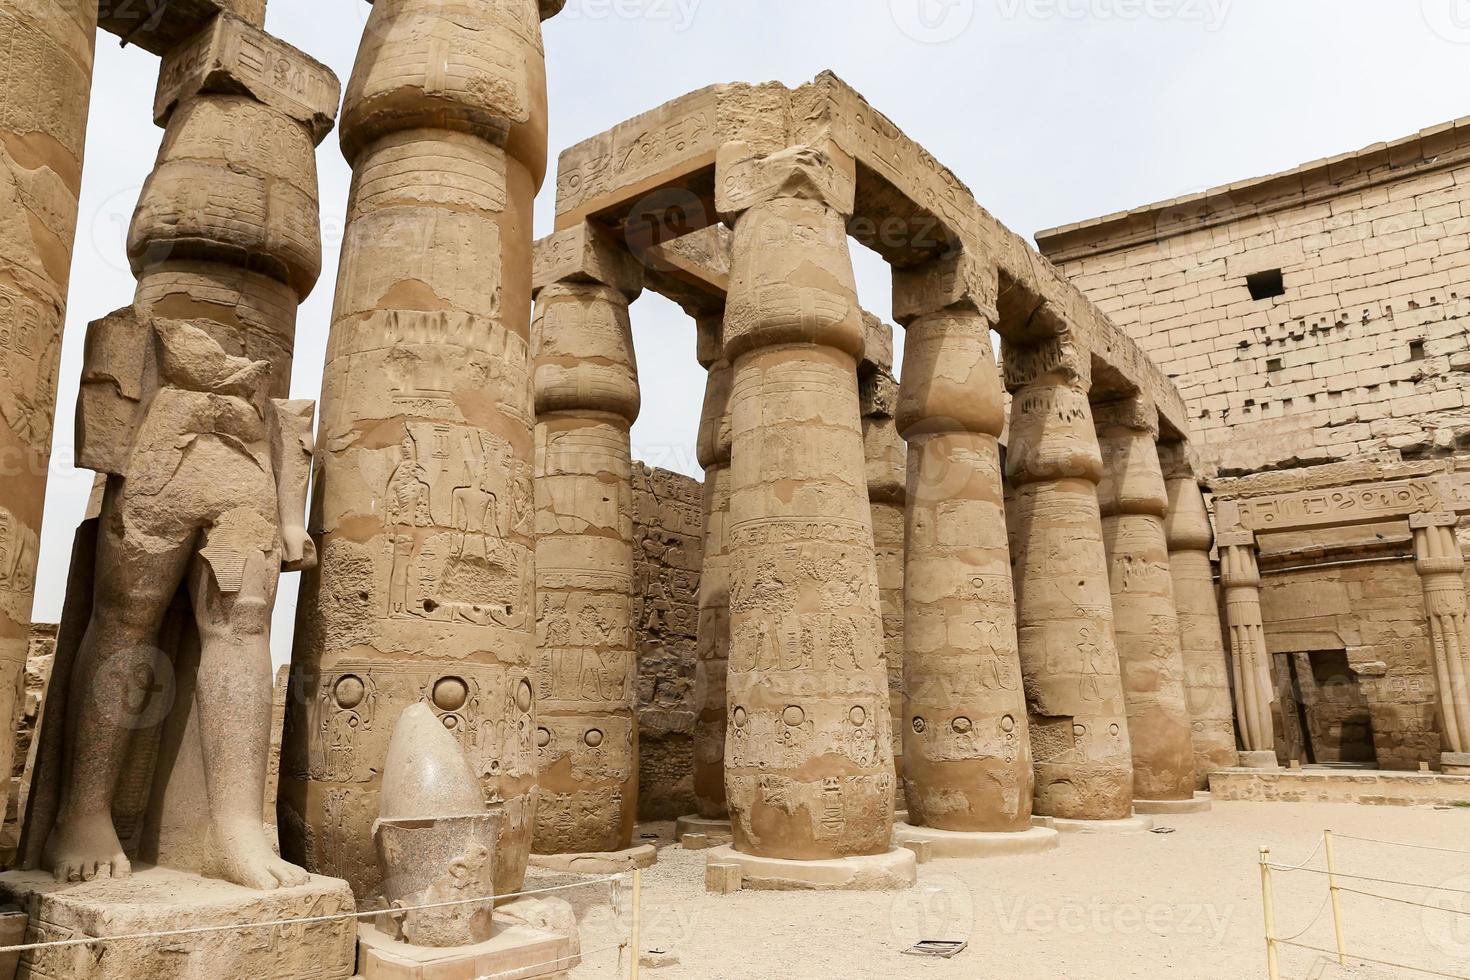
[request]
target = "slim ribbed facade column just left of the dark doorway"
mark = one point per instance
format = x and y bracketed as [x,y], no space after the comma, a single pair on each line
[1250,663]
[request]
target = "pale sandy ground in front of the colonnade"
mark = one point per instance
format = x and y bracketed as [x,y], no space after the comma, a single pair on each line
[1178,906]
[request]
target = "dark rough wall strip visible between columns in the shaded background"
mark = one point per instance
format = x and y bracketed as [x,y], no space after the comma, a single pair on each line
[668,552]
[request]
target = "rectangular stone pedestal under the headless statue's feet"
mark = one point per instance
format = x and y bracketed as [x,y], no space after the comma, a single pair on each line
[159,900]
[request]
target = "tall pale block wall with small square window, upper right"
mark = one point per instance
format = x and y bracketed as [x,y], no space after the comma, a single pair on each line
[1363,350]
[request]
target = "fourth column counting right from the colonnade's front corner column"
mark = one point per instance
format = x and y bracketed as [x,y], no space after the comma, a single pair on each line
[1134,502]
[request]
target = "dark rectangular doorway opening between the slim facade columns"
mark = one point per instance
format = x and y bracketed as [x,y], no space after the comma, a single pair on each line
[1325,718]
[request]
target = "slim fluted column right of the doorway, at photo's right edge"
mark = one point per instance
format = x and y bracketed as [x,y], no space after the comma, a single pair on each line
[1441,569]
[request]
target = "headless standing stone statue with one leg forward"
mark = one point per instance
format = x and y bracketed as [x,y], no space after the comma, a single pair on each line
[205,490]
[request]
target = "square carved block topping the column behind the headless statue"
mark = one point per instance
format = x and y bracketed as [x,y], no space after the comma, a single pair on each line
[236,58]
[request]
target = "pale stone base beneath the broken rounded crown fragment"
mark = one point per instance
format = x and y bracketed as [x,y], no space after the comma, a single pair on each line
[515,950]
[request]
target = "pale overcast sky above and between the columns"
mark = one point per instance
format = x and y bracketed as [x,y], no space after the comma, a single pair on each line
[1052,111]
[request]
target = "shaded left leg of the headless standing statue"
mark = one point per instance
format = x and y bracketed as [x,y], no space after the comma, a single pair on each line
[136,578]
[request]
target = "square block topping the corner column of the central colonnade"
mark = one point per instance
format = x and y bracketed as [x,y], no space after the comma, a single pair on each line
[746,179]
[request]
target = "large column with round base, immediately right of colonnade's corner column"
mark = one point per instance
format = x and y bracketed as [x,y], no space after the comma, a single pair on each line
[969,779]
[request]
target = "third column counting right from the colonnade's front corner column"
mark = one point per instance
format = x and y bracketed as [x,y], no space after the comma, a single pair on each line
[1065,610]
